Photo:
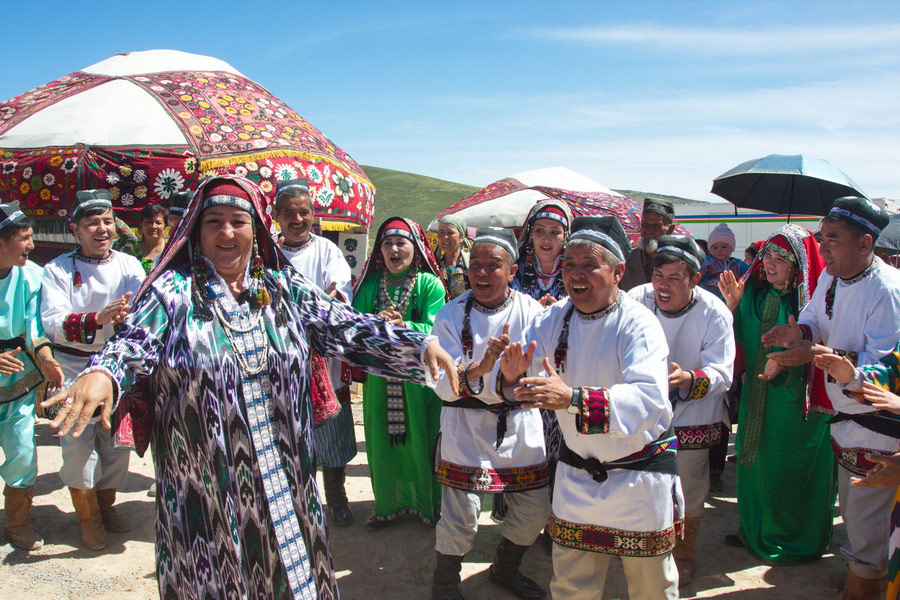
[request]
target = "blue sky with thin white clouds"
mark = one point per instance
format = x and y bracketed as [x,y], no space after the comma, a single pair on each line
[654,96]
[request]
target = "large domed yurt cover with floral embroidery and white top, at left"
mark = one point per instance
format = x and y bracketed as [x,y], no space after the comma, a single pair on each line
[145,125]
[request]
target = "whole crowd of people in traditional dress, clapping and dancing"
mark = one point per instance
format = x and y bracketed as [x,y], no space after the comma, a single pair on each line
[587,386]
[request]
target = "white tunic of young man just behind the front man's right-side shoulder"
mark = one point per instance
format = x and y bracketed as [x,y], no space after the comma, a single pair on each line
[701,340]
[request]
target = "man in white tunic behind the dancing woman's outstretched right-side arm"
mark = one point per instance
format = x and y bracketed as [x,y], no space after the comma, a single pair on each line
[323,263]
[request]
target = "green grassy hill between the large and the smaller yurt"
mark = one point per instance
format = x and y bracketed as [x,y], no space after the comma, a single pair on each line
[416,197]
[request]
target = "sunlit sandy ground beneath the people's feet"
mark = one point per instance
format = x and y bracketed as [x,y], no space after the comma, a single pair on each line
[395,563]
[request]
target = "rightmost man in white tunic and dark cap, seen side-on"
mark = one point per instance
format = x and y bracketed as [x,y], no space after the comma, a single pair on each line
[854,313]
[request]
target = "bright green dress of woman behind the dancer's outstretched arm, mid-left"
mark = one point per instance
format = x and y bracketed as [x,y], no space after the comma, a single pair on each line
[403,478]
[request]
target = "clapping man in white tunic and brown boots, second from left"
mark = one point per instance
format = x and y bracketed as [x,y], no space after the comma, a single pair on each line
[84,294]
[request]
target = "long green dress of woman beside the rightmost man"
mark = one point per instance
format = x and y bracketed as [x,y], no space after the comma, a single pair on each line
[786,468]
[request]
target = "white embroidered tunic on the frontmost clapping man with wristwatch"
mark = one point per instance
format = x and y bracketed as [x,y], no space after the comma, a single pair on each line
[619,353]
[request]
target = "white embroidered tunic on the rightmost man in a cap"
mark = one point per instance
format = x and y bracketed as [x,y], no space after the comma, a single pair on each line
[865,324]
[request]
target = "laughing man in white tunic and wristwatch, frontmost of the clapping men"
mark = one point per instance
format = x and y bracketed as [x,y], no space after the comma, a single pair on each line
[616,489]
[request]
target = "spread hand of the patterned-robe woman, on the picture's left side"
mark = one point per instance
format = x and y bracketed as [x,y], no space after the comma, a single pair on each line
[80,401]
